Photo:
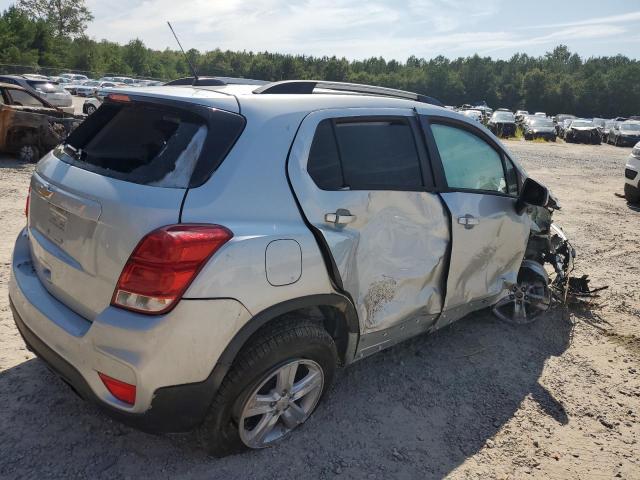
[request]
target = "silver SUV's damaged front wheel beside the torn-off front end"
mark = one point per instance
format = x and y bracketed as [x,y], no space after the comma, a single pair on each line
[526,300]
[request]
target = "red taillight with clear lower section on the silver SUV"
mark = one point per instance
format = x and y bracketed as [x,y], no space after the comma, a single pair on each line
[164,264]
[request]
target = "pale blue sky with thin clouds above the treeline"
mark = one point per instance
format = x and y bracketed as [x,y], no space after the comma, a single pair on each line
[359,29]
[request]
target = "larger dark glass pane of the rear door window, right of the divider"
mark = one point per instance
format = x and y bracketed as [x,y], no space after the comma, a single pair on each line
[378,154]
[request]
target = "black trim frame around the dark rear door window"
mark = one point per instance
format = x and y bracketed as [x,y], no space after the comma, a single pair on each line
[424,163]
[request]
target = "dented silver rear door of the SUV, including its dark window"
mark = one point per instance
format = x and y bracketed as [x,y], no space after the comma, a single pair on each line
[363,183]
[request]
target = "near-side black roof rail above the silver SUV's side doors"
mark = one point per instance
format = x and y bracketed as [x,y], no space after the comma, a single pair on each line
[308,86]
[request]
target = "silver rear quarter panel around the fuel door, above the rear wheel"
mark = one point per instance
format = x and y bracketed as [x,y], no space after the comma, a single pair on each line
[250,195]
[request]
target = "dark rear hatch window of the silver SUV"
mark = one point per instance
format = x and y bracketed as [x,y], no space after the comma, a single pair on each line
[164,144]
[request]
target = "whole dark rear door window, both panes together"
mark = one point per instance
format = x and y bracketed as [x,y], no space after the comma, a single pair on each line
[365,154]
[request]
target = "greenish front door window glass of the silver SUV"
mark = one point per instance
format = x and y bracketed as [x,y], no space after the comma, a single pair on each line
[469,162]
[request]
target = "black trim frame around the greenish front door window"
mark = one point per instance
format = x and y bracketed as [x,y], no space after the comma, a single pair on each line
[438,169]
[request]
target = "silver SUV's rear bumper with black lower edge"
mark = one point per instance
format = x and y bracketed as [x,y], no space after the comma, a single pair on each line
[170,358]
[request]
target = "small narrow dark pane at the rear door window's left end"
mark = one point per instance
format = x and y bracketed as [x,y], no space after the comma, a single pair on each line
[324,162]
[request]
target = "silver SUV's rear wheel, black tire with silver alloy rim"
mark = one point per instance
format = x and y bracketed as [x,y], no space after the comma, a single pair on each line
[273,386]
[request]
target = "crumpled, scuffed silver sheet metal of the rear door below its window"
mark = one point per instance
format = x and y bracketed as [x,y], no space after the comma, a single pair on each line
[393,264]
